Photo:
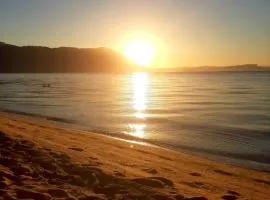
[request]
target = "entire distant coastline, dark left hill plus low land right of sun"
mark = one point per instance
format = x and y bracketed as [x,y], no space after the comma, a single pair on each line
[38,59]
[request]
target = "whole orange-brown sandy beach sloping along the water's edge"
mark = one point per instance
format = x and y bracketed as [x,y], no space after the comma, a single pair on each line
[40,160]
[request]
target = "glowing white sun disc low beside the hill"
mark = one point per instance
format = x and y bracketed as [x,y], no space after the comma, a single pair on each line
[140,51]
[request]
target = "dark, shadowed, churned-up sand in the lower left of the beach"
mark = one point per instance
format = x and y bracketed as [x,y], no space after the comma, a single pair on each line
[28,168]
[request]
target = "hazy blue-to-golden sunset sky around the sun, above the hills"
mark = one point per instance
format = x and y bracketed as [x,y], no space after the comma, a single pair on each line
[184,32]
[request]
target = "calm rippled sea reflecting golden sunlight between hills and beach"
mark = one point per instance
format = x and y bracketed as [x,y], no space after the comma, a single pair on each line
[219,115]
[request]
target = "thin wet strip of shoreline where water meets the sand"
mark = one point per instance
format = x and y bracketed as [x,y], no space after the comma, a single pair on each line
[222,157]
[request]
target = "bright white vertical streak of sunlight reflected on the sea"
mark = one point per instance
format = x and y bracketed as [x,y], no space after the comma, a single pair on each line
[139,85]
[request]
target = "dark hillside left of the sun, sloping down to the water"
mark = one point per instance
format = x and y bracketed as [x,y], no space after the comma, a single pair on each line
[35,59]
